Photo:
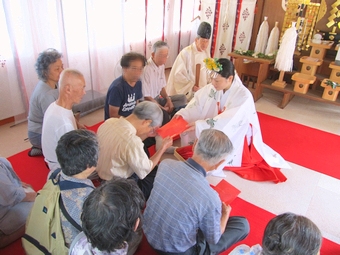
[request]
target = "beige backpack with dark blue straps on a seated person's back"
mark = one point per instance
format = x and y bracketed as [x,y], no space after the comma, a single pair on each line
[44,233]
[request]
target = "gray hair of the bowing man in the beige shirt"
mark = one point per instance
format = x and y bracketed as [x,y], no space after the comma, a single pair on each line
[147,110]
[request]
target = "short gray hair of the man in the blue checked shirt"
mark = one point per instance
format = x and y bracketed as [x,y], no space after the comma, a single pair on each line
[213,146]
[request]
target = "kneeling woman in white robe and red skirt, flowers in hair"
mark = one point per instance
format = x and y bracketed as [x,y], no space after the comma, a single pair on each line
[227,105]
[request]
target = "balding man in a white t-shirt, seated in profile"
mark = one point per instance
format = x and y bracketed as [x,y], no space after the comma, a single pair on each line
[59,118]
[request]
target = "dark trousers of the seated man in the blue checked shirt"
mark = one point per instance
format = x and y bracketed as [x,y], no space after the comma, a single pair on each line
[236,230]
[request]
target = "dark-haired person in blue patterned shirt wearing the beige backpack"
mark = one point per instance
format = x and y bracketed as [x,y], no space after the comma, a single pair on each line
[77,153]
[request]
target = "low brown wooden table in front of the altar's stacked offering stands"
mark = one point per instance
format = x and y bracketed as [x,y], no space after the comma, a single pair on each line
[289,93]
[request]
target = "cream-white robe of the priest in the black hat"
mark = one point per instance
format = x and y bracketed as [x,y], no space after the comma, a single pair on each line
[182,75]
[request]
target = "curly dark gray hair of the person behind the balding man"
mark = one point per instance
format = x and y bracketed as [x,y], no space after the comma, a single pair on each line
[44,60]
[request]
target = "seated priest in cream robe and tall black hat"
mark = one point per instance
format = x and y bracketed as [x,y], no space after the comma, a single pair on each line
[183,78]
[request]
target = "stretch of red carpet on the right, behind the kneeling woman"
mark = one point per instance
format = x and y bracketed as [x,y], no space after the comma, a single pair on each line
[302,145]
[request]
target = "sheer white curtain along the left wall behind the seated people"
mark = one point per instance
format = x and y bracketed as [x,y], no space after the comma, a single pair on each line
[92,35]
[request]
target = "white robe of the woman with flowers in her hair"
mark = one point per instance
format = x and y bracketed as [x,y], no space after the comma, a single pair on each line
[238,119]
